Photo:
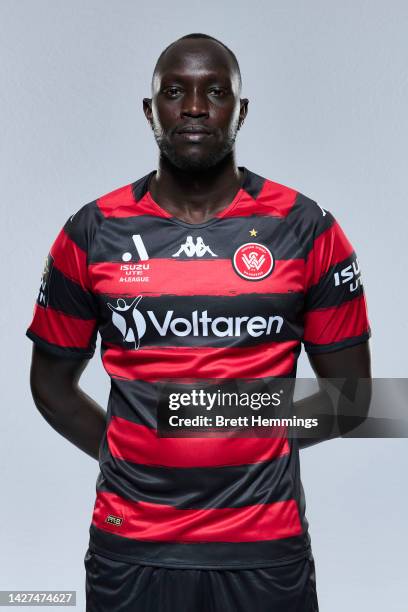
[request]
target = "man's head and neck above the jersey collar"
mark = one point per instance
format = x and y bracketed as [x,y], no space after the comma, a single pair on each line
[196,85]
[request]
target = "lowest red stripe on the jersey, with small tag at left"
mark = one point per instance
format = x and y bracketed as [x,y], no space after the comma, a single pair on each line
[159,522]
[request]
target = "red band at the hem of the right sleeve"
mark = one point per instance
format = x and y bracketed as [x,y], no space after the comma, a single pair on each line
[337,323]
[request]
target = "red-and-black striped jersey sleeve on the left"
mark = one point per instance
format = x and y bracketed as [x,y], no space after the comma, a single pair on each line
[65,317]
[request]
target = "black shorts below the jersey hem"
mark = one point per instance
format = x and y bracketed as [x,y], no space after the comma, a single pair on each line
[115,586]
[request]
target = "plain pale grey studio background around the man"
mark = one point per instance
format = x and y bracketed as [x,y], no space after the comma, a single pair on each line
[327,84]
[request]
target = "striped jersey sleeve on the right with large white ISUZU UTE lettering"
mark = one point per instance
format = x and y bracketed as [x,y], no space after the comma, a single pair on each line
[335,313]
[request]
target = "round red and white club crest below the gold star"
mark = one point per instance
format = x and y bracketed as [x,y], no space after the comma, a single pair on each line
[253,261]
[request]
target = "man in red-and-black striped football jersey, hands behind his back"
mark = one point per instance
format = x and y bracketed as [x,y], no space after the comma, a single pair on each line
[198,271]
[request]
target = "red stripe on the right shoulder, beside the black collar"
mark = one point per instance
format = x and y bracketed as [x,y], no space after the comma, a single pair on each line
[274,200]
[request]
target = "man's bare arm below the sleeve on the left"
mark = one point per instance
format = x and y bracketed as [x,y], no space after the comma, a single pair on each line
[63,404]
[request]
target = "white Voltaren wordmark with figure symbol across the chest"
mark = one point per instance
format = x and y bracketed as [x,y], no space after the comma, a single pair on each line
[133,325]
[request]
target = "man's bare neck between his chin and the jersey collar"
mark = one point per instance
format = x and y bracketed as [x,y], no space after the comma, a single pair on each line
[195,196]
